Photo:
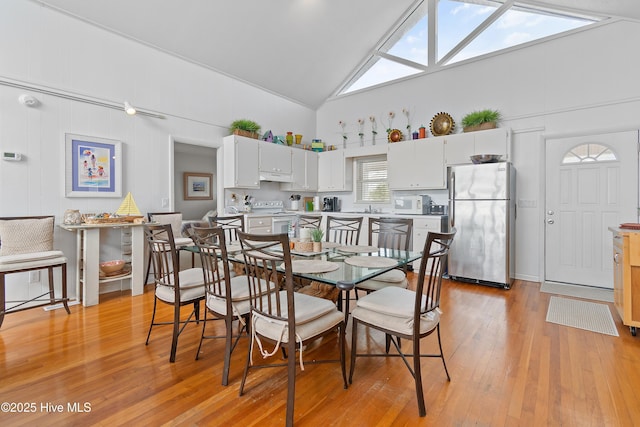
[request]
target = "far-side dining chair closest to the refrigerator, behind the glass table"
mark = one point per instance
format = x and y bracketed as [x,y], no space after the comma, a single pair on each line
[394,234]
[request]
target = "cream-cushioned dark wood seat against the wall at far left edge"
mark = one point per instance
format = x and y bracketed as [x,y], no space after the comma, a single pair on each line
[26,244]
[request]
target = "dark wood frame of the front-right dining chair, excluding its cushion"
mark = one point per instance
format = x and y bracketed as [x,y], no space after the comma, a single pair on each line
[429,284]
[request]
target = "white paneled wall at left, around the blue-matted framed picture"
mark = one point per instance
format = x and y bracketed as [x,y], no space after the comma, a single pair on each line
[40,47]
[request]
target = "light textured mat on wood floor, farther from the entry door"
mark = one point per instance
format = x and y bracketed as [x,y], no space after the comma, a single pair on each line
[589,316]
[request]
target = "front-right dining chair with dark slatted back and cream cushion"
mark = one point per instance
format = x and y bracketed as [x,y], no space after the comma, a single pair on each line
[407,314]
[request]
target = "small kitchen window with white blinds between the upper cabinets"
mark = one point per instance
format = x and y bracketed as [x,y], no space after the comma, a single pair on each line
[371,180]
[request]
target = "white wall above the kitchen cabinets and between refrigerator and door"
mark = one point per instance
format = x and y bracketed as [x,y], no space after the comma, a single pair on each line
[582,83]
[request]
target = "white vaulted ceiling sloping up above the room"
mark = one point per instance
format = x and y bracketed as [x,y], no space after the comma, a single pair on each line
[303,50]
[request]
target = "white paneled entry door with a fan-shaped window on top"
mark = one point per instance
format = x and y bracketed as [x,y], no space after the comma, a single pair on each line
[591,184]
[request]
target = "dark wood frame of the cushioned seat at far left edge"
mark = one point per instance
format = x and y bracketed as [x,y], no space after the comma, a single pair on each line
[51,292]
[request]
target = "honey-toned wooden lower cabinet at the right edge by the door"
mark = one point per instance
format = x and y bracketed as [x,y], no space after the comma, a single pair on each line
[626,276]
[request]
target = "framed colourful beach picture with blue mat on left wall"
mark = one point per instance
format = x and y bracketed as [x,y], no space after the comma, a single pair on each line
[93,166]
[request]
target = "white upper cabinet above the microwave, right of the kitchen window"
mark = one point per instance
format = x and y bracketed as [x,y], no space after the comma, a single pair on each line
[417,164]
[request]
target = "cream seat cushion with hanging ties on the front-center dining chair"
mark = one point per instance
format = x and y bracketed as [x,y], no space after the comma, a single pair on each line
[313,316]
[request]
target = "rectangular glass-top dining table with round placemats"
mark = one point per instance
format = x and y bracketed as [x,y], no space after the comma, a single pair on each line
[341,266]
